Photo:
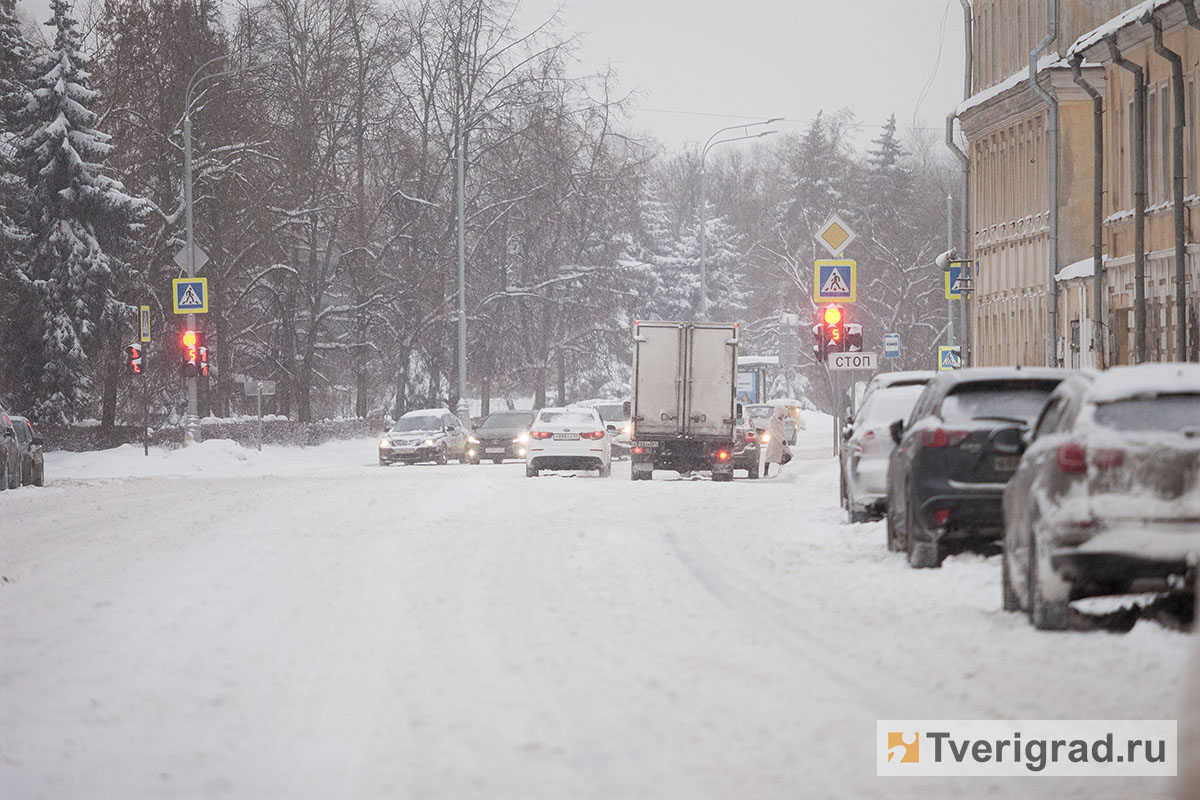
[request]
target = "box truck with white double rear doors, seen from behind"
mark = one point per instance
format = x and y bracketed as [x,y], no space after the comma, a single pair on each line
[683,411]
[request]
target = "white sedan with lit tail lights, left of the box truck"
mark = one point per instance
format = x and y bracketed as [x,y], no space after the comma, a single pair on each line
[568,438]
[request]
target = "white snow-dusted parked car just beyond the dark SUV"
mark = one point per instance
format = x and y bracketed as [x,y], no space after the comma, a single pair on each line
[869,447]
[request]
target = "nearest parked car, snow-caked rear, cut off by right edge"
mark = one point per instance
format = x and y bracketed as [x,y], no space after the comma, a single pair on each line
[1107,498]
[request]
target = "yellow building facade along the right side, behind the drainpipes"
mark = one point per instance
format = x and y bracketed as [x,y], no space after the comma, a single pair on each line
[1034,255]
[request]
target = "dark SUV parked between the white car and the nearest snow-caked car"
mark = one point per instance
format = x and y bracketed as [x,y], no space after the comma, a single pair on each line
[947,474]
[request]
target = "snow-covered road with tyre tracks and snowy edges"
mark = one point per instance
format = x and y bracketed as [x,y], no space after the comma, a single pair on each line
[302,623]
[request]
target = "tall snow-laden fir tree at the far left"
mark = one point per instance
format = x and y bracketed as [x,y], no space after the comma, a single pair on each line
[81,220]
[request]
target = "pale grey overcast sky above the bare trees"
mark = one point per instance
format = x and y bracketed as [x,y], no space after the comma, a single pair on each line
[700,65]
